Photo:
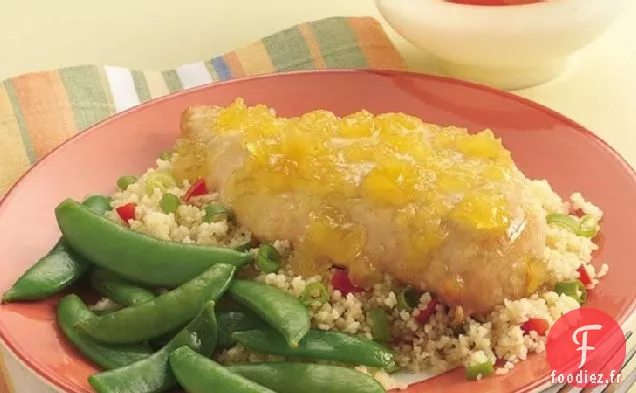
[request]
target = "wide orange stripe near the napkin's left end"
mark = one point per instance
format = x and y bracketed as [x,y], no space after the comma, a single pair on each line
[46,110]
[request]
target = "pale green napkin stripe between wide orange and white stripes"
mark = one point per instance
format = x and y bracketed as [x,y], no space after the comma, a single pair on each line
[89,96]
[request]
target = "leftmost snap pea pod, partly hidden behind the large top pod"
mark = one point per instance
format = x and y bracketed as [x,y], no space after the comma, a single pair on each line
[58,269]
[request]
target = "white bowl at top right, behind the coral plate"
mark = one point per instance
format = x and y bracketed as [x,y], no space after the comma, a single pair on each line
[509,47]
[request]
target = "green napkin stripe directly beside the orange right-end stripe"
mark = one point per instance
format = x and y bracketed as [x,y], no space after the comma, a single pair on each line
[338,44]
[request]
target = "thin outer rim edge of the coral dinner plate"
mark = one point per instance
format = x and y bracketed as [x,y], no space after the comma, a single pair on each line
[6,199]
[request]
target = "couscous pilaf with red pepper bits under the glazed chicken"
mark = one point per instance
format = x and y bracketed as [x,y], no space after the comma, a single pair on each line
[439,343]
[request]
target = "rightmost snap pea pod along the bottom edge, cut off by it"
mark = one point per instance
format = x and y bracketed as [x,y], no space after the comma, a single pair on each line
[284,377]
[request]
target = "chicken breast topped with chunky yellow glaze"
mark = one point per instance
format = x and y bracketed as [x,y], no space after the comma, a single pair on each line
[438,208]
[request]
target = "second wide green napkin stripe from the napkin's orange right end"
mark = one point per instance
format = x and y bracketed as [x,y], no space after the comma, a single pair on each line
[289,51]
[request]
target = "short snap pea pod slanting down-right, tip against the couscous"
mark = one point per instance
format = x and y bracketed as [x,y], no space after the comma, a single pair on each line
[279,309]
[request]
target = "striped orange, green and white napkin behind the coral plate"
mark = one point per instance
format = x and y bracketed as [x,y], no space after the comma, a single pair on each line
[41,110]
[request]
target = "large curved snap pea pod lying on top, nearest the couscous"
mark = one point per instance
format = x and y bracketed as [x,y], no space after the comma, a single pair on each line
[135,256]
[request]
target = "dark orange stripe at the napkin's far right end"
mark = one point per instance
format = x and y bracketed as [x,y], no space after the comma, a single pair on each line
[375,44]
